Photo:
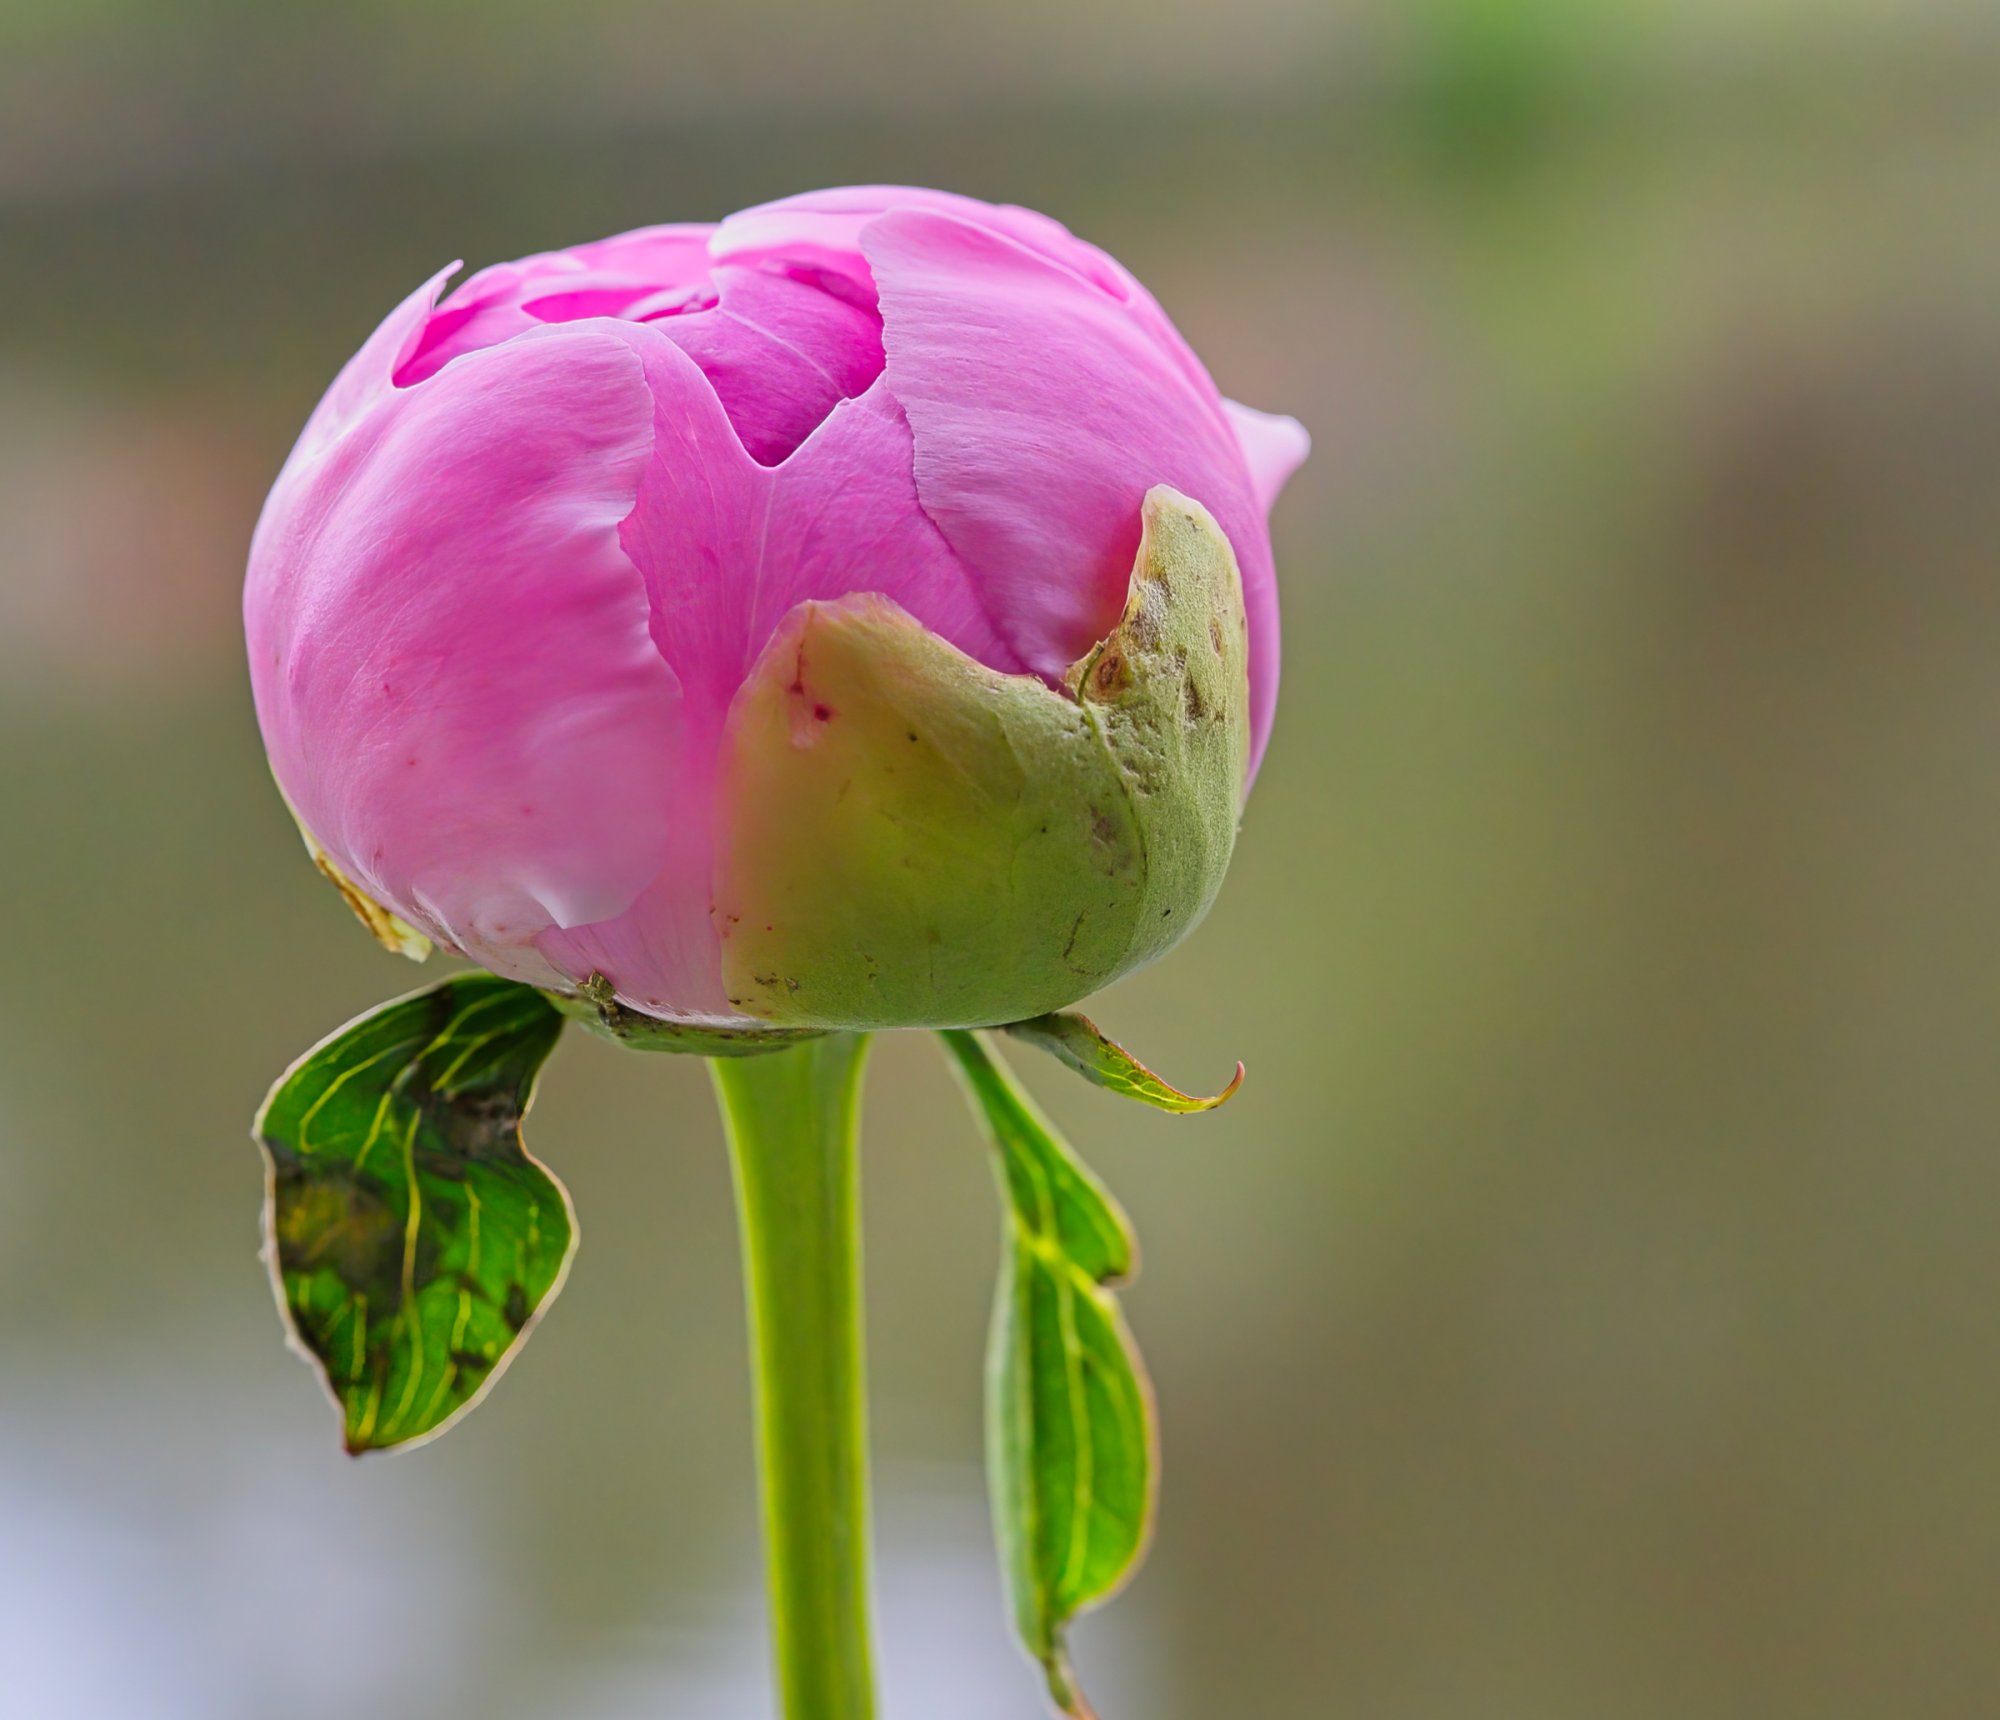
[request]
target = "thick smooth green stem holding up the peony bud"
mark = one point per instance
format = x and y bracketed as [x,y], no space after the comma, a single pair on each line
[793,1121]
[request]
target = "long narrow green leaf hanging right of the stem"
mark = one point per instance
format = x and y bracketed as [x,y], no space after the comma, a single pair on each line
[1071,1439]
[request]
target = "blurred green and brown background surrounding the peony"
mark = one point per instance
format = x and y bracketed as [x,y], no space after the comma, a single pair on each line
[1587,1309]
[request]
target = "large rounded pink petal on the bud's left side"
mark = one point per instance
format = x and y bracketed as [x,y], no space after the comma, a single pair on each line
[453,655]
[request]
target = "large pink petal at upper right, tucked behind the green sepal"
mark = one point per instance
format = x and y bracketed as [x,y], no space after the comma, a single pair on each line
[1043,413]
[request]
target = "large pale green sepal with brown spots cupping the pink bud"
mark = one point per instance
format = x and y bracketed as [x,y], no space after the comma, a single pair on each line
[913,839]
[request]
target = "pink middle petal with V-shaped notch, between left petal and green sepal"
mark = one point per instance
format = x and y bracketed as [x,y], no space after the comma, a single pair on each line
[727,549]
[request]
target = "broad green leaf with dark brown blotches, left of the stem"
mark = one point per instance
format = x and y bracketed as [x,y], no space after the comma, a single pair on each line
[411,1237]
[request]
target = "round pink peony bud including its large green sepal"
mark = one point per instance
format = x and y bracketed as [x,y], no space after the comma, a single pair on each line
[859,613]
